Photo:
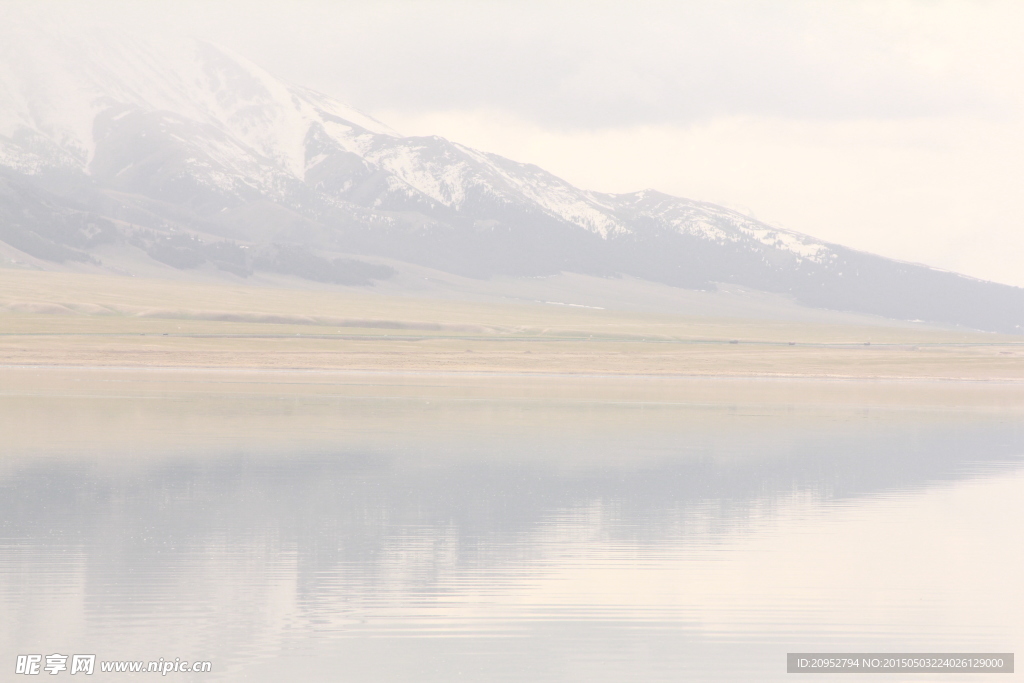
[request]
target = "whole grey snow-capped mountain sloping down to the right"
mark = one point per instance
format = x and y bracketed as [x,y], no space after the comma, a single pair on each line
[194,154]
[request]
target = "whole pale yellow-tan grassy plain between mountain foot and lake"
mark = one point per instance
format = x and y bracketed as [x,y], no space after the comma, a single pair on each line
[73,320]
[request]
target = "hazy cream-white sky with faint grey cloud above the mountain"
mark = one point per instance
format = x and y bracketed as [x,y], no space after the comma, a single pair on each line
[894,127]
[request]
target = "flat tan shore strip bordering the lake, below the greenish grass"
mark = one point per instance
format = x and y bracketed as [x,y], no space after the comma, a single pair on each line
[695,359]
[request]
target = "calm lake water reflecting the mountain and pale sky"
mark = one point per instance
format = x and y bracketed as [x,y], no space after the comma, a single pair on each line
[312,527]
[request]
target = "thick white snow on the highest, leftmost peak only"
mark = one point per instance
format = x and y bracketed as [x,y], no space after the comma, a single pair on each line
[56,83]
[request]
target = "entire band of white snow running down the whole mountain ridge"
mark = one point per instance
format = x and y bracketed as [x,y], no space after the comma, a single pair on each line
[244,127]
